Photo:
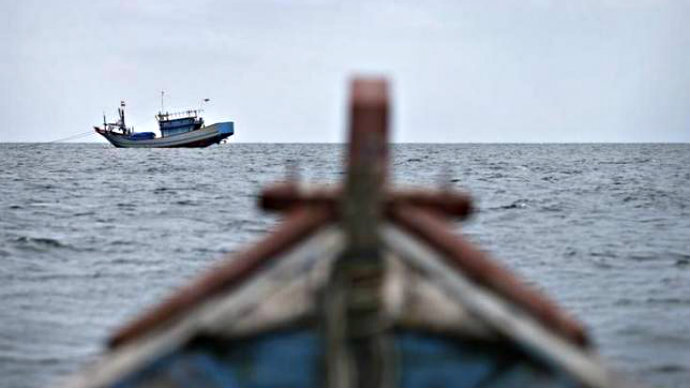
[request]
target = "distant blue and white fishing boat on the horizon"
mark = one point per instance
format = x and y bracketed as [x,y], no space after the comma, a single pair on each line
[177,129]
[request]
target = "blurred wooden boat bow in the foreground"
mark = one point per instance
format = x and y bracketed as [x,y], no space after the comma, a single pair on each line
[361,285]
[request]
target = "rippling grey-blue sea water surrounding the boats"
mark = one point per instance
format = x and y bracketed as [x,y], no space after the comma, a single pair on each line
[90,235]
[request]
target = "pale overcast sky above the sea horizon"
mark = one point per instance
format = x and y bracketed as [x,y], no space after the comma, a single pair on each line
[512,71]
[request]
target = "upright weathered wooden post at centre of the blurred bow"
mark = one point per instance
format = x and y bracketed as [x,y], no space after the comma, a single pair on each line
[358,348]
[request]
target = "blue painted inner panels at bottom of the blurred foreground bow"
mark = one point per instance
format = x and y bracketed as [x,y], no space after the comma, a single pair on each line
[293,359]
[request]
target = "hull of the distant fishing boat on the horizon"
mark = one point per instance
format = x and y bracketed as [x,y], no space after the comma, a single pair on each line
[203,137]
